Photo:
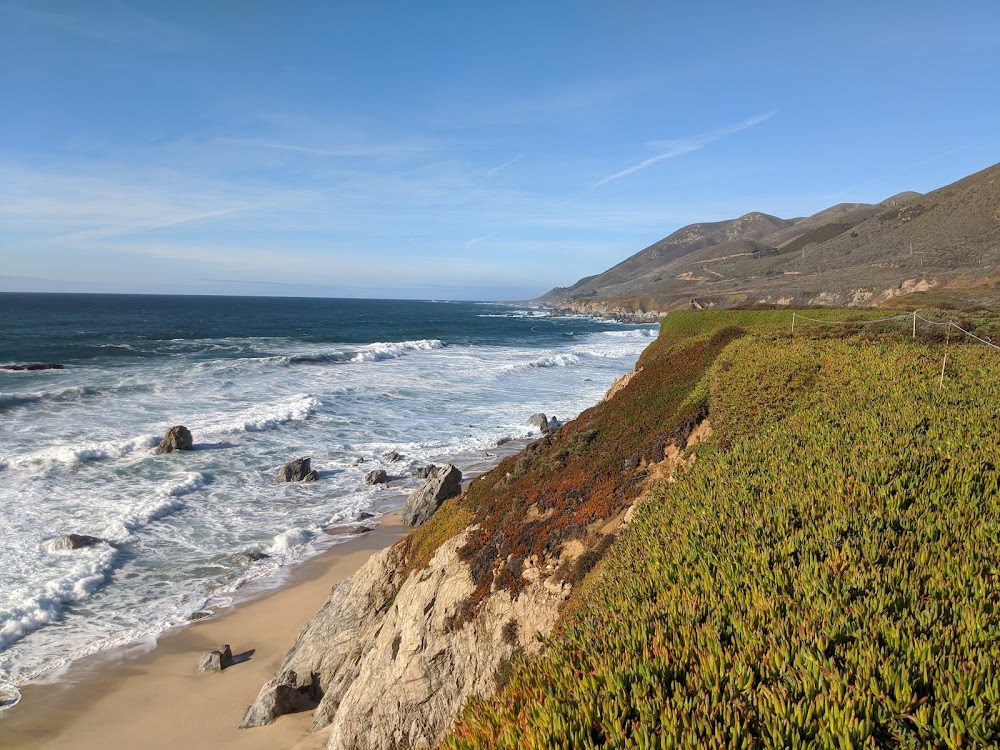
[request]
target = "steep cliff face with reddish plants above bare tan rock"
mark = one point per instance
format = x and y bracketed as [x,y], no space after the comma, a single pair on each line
[400,648]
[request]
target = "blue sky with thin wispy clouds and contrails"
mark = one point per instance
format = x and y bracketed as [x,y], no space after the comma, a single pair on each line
[457,150]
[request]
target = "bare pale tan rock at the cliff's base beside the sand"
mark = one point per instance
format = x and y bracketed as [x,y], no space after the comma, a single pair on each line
[395,661]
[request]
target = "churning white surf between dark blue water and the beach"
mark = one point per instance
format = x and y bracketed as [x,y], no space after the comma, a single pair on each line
[181,519]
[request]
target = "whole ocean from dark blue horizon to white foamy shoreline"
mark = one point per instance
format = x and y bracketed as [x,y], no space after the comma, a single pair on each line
[259,382]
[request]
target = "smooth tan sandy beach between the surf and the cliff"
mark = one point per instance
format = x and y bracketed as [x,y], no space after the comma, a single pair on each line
[159,700]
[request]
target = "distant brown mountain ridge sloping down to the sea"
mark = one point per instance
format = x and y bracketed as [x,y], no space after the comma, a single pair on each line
[851,253]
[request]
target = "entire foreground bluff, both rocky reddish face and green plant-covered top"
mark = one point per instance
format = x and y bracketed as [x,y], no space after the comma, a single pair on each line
[755,540]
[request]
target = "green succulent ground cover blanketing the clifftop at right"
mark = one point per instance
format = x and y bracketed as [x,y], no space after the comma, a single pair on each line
[827,575]
